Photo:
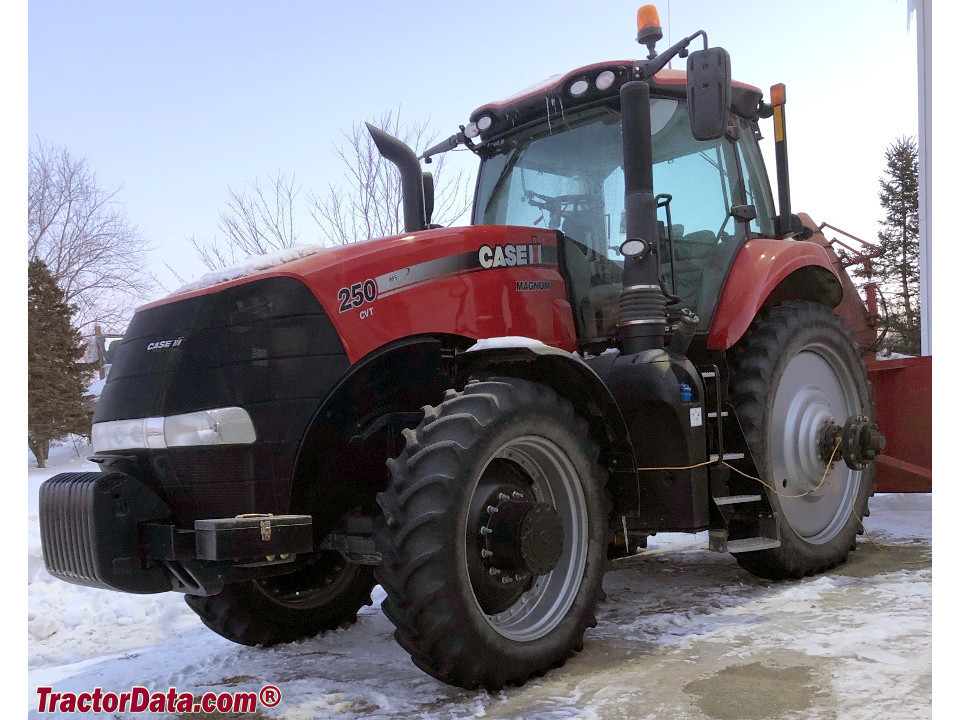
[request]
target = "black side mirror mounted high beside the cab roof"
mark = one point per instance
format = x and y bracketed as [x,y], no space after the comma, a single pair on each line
[708,92]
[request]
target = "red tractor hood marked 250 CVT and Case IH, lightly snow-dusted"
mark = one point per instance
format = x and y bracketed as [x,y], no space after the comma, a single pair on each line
[378,290]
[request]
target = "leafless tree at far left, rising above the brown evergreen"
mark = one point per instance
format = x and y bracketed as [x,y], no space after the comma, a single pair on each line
[82,234]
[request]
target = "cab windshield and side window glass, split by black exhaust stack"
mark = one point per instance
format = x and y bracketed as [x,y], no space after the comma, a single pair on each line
[568,175]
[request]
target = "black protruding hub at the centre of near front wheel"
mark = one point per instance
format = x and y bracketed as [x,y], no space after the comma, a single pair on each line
[526,537]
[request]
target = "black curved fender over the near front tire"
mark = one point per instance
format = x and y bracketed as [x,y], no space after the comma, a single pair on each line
[573,379]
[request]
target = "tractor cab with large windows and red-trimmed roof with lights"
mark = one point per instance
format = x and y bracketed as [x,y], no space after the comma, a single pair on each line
[553,158]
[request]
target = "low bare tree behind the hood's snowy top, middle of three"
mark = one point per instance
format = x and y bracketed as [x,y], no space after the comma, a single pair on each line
[257,220]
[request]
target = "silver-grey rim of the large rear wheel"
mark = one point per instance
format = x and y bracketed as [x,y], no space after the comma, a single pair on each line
[816,388]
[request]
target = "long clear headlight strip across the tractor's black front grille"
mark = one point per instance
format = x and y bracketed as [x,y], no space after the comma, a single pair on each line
[222,426]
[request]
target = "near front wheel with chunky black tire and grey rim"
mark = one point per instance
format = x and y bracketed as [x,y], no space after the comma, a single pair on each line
[492,535]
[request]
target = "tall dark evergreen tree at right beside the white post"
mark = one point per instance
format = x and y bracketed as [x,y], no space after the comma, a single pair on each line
[898,270]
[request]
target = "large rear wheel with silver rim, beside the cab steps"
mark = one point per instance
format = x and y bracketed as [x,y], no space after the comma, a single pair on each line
[796,368]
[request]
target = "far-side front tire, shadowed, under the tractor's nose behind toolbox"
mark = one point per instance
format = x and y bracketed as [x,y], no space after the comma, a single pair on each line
[291,607]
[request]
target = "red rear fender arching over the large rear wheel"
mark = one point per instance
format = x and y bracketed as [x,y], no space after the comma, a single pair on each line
[768,271]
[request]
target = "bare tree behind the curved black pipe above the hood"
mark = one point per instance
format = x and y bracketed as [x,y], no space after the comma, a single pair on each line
[370,204]
